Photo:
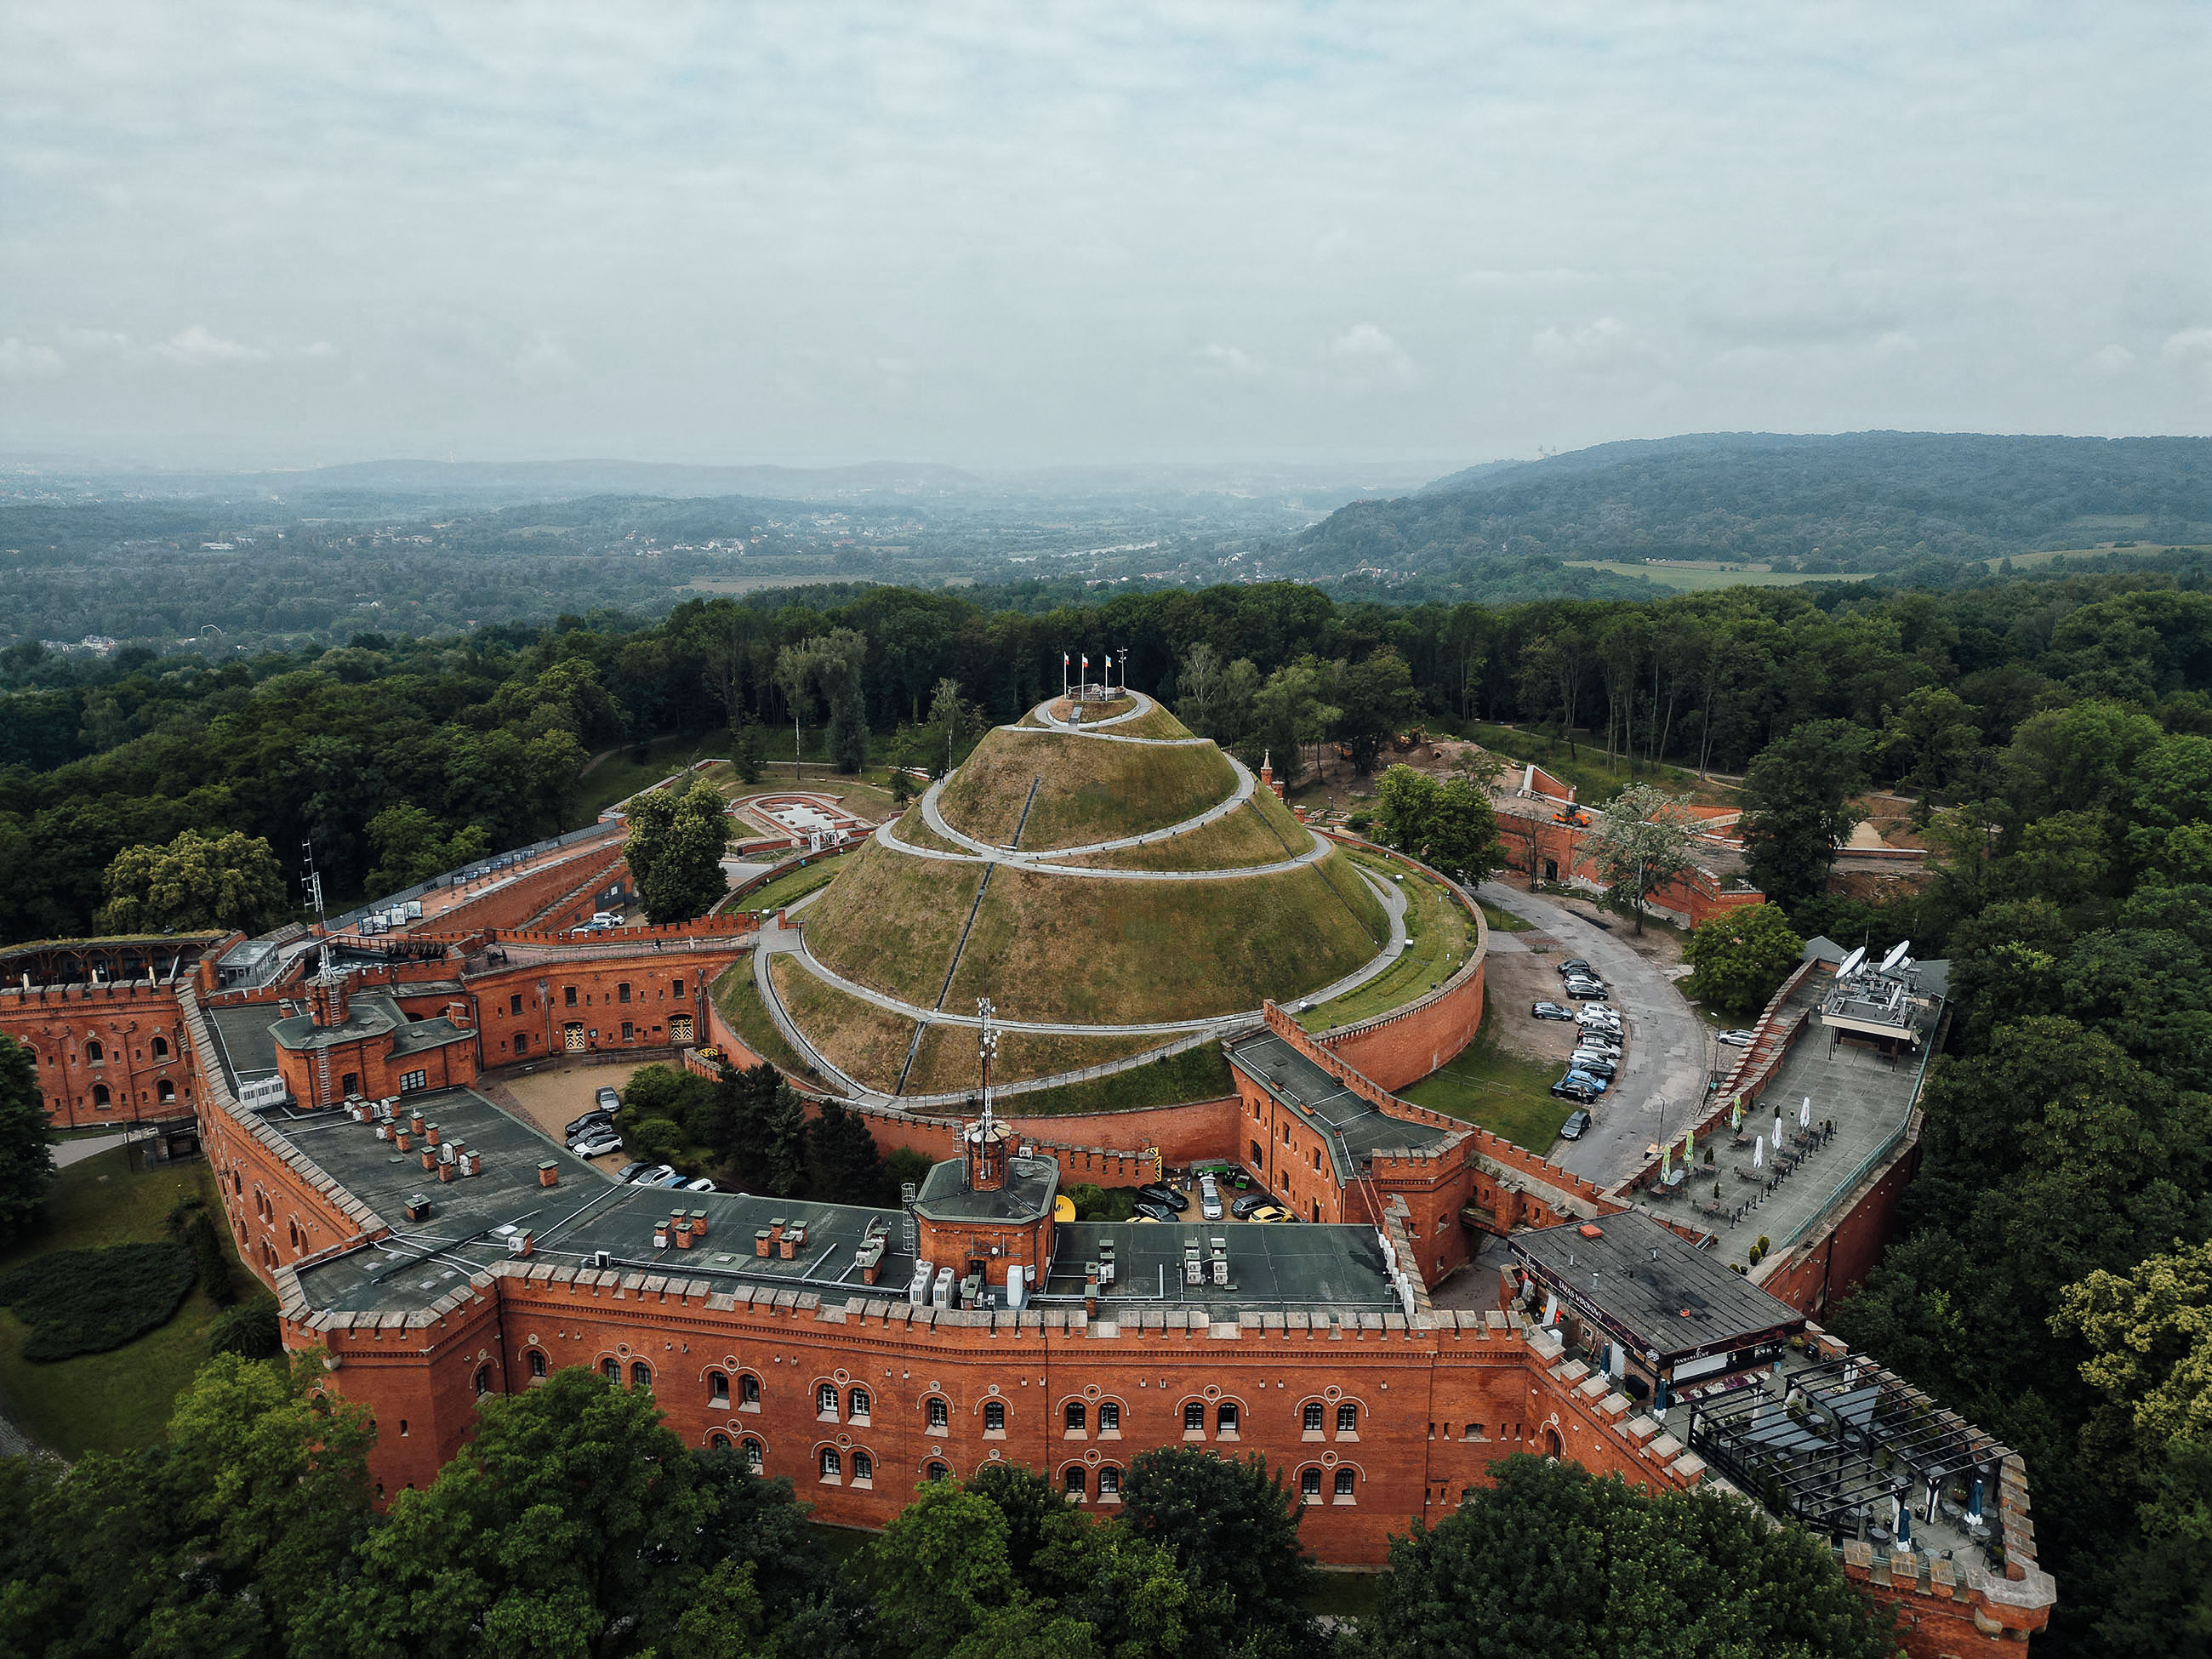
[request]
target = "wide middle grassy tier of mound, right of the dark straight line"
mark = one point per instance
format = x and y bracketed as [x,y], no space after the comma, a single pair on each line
[1125,952]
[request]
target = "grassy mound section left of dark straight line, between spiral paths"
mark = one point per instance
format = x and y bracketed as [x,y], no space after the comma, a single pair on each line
[890,921]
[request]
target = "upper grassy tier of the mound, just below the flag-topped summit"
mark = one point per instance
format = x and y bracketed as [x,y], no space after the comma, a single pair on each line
[1087,791]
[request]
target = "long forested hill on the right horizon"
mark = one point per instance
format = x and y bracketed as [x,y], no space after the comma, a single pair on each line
[1866,501]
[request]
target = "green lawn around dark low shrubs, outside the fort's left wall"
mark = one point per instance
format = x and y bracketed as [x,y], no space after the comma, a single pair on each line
[112,1401]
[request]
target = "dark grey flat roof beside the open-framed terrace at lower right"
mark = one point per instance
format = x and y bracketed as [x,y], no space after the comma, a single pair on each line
[1651,1286]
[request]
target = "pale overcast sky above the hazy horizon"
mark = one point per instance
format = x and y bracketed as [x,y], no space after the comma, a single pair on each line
[1023,233]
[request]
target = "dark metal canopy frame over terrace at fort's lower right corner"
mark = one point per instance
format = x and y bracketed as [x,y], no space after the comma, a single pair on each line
[1859,1437]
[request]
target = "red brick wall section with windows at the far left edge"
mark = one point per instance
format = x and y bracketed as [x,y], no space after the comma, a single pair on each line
[127,1021]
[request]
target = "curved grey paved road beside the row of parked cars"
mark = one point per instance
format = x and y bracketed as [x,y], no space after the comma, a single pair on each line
[1669,1047]
